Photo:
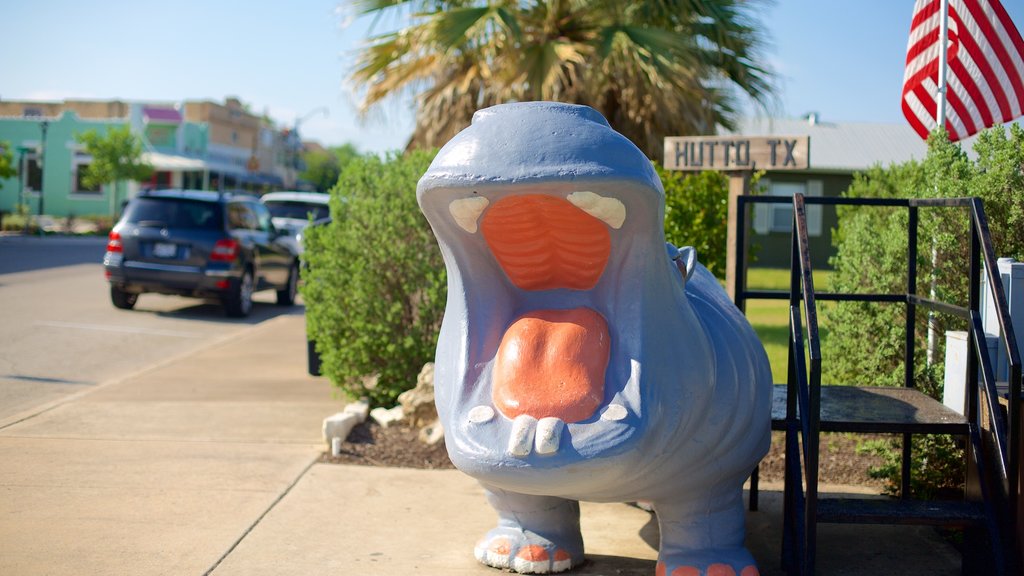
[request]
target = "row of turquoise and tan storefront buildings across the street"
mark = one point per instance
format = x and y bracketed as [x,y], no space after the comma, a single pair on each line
[196,145]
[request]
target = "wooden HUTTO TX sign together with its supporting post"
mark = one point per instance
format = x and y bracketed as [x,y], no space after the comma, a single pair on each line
[740,157]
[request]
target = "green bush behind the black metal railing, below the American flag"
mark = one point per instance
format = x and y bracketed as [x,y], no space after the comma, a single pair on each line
[872,258]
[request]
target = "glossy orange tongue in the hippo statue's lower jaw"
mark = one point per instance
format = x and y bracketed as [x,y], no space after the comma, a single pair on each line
[552,363]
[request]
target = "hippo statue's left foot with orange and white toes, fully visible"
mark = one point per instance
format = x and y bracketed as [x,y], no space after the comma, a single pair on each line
[524,552]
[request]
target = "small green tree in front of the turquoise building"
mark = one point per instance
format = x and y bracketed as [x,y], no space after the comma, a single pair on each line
[117,156]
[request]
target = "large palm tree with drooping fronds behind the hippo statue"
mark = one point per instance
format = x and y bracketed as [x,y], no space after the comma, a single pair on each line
[653,68]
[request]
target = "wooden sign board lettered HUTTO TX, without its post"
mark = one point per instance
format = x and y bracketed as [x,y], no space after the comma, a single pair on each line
[738,153]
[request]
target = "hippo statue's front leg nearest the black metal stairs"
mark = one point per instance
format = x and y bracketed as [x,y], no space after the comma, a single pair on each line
[704,538]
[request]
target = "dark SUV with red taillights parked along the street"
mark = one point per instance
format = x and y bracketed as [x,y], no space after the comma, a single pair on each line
[202,244]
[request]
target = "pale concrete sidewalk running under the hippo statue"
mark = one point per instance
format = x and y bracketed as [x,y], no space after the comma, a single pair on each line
[206,465]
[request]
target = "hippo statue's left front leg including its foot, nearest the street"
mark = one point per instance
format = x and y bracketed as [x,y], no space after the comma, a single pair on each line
[535,534]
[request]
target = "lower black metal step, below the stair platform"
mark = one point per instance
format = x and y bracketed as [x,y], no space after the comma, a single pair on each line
[883,511]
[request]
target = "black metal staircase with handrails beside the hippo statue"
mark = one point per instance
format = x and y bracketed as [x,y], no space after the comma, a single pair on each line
[804,408]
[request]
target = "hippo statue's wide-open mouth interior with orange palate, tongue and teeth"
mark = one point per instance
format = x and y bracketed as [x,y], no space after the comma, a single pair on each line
[558,376]
